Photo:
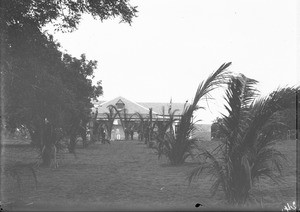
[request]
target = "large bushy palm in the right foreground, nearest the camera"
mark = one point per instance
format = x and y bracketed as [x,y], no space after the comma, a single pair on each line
[246,153]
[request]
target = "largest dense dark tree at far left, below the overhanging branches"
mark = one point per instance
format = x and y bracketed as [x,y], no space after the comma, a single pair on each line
[33,80]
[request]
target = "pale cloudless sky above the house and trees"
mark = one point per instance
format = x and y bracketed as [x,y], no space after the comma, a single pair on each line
[173,45]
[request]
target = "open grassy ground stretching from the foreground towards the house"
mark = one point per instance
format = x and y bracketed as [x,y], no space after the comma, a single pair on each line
[126,175]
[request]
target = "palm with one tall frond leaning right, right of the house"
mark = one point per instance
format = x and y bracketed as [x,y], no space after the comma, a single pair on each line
[180,147]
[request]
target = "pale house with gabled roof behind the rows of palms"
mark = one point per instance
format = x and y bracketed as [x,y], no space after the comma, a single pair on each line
[135,112]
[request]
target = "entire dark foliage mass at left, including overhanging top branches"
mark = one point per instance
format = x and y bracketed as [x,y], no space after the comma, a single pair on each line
[38,82]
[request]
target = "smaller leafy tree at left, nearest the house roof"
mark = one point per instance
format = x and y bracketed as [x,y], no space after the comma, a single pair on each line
[77,78]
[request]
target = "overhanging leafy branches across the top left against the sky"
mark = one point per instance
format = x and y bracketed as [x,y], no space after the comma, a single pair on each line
[66,14]
